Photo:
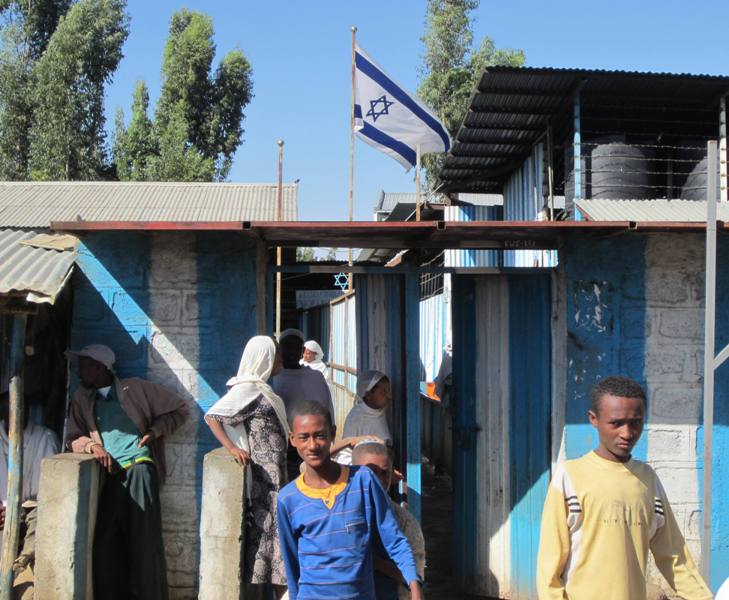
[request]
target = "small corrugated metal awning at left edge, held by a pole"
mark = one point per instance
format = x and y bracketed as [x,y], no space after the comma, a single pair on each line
[37,273]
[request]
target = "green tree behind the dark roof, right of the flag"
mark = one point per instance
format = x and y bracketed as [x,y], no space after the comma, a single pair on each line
[452,67]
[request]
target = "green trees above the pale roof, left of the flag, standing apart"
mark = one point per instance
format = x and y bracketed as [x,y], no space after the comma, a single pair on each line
[197,124]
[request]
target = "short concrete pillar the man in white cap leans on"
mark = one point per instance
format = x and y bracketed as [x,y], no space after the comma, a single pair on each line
[67,502]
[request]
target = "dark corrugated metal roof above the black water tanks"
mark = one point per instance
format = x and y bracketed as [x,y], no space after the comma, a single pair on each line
[513,106]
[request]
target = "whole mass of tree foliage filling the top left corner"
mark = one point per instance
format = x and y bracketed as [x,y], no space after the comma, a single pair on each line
[56,58]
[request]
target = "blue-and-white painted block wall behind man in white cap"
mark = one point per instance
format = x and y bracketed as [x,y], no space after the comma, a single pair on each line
[177,308]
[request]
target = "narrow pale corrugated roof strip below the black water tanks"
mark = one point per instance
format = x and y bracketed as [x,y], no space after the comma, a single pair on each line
[687,211]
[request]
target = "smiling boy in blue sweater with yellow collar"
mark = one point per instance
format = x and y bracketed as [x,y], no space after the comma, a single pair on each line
[329,517]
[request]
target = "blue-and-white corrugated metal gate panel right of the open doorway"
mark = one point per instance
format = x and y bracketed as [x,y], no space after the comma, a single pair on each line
[502,342]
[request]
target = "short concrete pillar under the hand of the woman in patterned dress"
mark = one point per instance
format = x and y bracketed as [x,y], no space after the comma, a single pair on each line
[222,528]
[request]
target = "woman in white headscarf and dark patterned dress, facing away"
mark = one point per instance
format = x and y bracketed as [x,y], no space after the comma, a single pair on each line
[250,422]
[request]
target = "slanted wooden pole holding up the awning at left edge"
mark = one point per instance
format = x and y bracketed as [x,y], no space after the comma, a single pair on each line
[11,534]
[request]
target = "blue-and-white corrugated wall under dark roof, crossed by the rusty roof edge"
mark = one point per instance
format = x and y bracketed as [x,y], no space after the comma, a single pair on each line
[523,201]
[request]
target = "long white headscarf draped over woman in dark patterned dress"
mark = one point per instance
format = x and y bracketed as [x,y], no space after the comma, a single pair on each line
[254,371]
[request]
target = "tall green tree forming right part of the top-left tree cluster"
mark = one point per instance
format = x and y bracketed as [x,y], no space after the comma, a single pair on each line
[67,137]
